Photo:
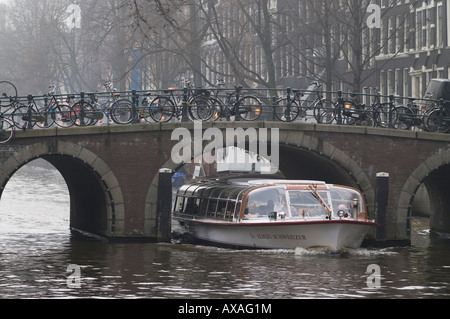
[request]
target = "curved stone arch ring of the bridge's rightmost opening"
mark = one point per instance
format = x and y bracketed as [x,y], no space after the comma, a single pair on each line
[434,172]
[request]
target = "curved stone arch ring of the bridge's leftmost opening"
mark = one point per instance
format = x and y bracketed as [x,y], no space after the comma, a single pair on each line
[66,157]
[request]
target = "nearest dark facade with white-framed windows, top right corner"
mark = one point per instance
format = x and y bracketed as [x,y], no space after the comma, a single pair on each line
[419,52]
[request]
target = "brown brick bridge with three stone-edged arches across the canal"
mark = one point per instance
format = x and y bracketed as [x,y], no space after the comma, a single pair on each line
[112,172]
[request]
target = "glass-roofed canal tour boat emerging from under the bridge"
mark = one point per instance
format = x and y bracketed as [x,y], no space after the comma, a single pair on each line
[272,214]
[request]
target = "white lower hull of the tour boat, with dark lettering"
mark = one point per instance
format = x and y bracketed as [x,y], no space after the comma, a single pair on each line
[334,235]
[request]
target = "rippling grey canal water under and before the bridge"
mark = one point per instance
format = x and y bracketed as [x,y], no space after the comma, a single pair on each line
[39,258]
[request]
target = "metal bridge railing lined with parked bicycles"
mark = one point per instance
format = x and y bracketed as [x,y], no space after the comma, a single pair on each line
[313,104]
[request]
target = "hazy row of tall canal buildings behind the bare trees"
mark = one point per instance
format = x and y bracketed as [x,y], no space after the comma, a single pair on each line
[399,55]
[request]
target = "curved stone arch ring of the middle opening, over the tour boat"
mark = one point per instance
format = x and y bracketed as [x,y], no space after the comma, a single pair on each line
[297,140]
